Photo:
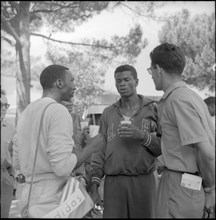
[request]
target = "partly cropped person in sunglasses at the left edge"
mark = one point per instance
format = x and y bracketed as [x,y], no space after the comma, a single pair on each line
[7,171]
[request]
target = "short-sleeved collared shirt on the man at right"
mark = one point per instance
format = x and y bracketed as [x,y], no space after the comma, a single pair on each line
[184,120]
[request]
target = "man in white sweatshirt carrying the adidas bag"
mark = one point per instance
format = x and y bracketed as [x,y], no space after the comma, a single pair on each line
[55,157]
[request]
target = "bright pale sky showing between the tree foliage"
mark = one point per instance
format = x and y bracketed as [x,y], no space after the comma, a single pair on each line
[121,20]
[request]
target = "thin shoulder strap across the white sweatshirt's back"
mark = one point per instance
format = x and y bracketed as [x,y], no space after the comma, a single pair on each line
[36,150]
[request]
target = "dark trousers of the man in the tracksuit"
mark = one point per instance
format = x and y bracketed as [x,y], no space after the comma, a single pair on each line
[129,196]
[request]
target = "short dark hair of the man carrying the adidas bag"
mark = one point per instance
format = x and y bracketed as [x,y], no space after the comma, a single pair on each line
[50,74]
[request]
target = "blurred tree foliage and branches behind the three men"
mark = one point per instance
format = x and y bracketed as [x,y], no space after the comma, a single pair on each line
[90,58]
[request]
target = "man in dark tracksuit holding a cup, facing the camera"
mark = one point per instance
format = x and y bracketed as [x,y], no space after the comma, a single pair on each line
[129,158]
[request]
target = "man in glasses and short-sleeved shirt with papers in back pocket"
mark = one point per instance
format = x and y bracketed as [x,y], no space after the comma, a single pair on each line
[187,184]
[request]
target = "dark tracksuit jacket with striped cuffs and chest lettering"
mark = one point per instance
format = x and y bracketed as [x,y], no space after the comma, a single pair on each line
[124,156]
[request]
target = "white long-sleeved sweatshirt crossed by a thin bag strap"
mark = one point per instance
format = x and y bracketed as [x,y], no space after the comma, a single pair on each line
[55,159]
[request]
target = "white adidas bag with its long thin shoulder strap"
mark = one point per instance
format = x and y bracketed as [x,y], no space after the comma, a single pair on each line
[75,202]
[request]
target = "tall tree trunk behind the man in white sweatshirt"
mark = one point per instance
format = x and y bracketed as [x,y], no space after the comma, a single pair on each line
[23,79]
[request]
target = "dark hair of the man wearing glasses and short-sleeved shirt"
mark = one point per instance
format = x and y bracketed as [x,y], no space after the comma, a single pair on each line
[169,57]
